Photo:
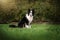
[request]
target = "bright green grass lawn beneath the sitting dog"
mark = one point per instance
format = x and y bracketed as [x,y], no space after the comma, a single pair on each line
[37,32]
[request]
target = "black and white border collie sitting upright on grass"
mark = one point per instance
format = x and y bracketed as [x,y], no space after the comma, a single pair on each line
[27,19]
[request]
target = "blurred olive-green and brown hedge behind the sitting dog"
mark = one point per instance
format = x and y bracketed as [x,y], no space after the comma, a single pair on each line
[44,10]
